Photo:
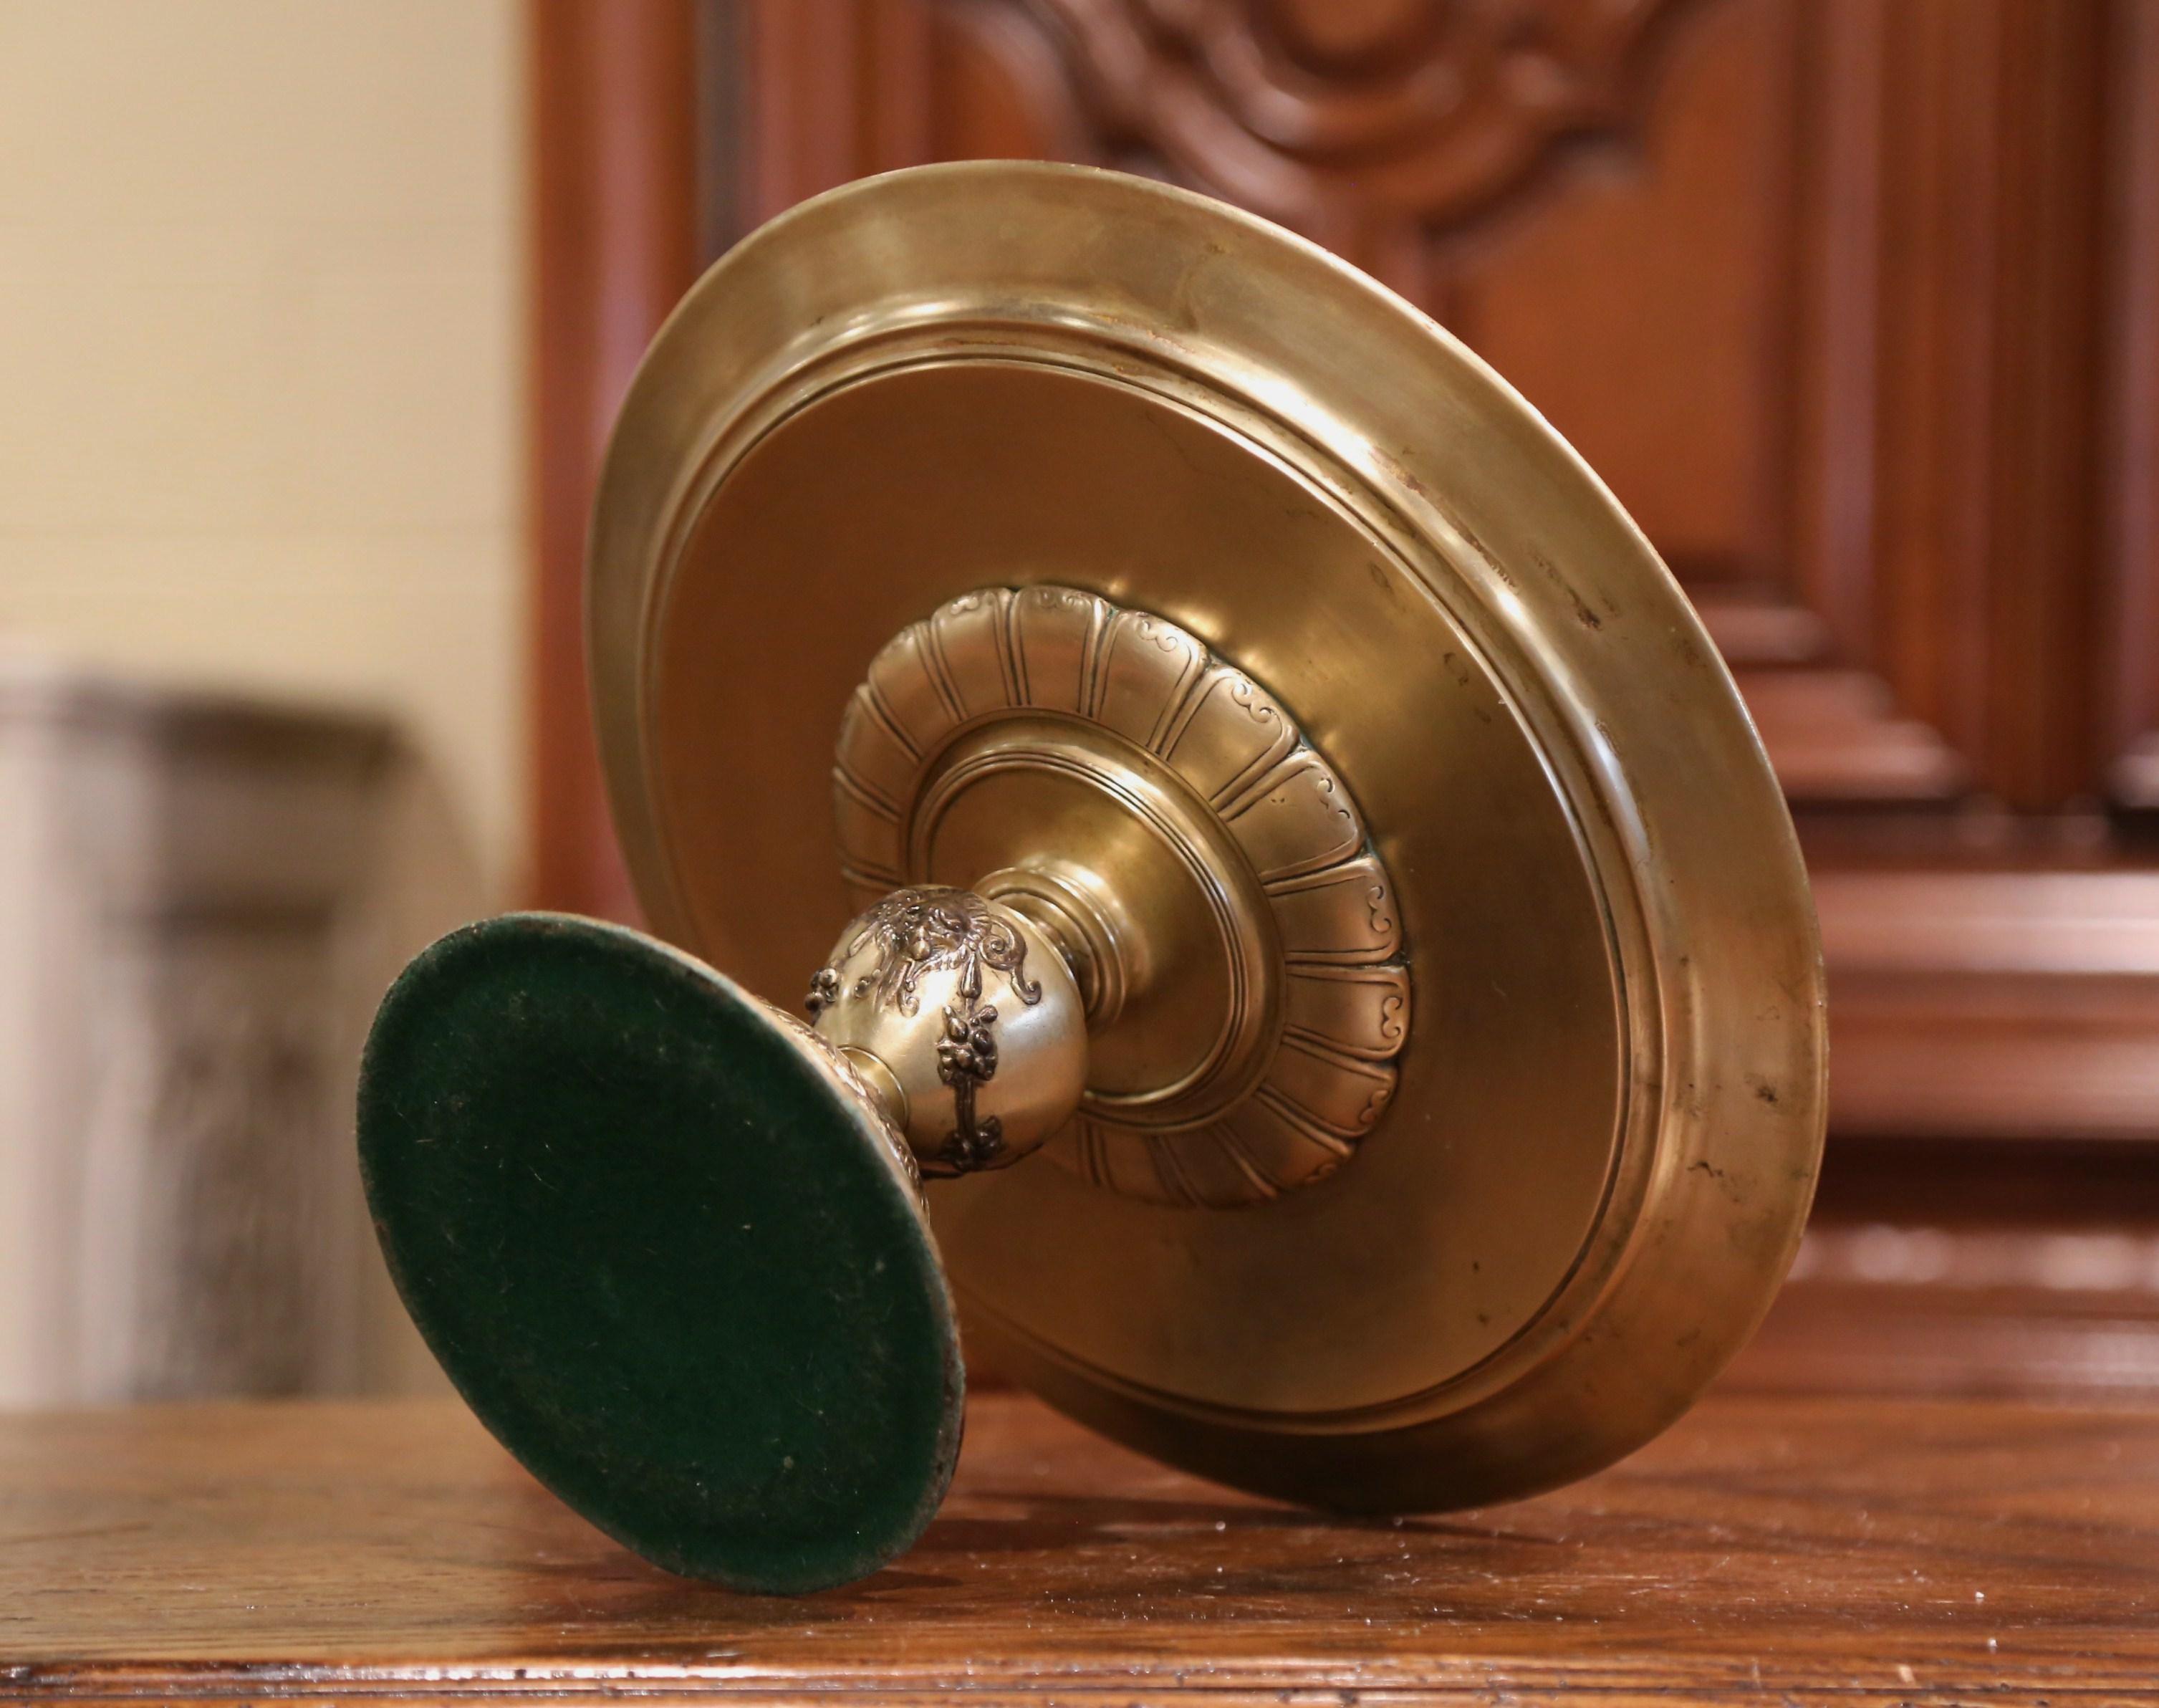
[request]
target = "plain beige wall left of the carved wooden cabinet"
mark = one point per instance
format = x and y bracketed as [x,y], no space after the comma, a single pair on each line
[260,360]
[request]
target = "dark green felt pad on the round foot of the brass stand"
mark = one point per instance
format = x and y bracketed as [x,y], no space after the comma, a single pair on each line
[664,1258]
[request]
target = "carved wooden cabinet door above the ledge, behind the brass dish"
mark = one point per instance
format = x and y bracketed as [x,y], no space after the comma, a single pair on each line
[1810,282]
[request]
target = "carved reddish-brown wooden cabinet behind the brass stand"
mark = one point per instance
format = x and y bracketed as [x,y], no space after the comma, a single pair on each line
[1856,303]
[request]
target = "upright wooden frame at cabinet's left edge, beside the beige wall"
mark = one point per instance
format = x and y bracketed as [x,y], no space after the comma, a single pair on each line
[644,165]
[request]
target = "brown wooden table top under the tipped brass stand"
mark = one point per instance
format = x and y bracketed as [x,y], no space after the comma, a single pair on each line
[1879,1551]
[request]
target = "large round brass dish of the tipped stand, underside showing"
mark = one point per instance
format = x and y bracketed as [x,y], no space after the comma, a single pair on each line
[1607,1109]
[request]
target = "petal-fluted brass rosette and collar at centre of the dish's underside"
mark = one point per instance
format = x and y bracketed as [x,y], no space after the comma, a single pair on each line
[1163,819]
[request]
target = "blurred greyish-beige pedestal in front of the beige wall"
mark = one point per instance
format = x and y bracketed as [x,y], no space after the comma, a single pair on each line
[202,899]
